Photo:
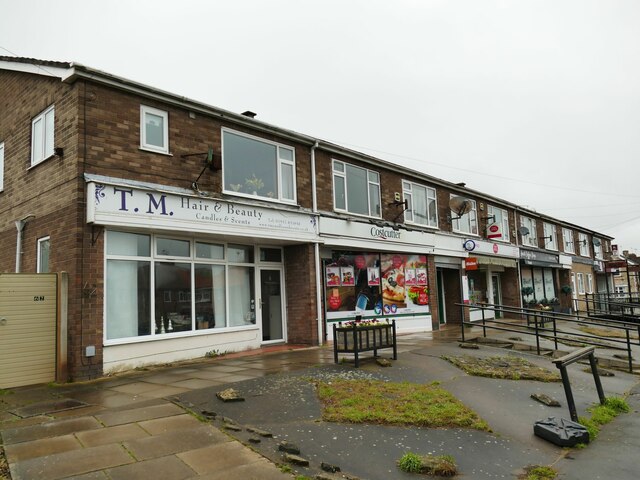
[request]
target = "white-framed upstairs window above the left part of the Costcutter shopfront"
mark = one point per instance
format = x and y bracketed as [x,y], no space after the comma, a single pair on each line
[356,190]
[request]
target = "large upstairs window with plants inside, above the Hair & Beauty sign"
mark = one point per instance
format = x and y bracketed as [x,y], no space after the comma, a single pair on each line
[258,168]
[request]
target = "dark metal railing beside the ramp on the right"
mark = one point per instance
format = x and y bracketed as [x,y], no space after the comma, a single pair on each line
[544,324]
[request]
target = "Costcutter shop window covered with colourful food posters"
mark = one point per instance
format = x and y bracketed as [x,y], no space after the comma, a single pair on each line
[376,285]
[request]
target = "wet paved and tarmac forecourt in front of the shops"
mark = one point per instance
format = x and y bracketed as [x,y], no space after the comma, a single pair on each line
[160,422]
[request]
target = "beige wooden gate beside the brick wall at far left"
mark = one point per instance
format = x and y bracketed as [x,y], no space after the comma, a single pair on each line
[30,332]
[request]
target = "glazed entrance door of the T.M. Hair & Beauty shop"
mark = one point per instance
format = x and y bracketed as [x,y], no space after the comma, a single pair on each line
[271,305]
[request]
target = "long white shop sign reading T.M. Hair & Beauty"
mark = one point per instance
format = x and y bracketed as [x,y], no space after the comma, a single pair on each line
[130,206]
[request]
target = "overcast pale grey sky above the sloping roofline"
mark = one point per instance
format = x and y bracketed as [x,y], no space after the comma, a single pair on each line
[533,101]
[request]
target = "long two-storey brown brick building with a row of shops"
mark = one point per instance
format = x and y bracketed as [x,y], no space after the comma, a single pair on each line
[187,229]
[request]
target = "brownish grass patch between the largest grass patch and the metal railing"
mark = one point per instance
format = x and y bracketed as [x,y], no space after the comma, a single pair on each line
[511,368]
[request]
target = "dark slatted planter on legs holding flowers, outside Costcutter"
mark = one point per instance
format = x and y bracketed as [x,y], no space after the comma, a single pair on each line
[358,336]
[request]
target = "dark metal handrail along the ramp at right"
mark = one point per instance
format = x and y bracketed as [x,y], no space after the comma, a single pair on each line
[539,329]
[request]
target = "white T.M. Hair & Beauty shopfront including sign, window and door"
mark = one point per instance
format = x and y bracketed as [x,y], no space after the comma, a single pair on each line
[187,275]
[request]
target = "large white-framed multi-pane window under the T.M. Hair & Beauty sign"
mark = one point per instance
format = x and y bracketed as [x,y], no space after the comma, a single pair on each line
[163,286]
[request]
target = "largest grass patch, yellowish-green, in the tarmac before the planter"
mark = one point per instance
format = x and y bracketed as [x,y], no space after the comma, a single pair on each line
[387,403]
